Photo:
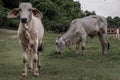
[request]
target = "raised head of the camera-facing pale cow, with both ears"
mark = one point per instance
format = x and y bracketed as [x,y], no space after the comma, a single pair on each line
[25,12]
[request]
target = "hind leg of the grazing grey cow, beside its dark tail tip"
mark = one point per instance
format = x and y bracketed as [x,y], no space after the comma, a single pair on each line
[104,43]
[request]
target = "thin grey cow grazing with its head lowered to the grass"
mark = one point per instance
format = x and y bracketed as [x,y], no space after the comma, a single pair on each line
[80,29]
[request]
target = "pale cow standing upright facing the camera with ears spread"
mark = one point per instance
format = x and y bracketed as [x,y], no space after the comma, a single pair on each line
[30,33]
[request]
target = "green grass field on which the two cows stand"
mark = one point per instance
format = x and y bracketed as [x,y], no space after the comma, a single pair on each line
[68,66]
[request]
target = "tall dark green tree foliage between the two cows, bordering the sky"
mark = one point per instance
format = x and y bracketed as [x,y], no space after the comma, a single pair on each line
[58,13]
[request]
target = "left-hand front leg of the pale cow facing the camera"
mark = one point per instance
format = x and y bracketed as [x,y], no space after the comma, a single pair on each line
[24,55]
